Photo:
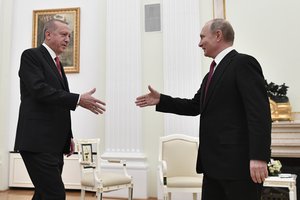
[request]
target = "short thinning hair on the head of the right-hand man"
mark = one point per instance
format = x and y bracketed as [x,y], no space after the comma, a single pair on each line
[225,27]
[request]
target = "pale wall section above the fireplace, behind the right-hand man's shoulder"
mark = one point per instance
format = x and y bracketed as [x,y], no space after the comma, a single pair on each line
[269,30]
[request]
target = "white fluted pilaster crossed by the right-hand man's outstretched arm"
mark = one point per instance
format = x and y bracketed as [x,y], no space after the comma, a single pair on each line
[182,70]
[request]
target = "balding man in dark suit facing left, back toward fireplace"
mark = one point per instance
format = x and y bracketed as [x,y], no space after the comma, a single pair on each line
[235,121]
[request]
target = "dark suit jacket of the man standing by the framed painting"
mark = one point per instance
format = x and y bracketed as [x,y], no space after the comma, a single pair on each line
[44,123]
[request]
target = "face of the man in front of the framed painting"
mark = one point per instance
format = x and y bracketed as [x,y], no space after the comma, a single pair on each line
[59,39]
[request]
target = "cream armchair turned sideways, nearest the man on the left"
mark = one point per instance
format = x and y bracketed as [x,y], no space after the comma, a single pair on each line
[93,178]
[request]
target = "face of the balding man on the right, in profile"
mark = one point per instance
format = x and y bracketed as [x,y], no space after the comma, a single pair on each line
[208,41]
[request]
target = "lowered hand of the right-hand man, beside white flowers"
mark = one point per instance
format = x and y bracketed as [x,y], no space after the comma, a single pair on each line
[258,170]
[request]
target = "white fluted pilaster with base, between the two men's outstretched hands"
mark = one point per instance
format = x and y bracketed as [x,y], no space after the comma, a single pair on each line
[123,135]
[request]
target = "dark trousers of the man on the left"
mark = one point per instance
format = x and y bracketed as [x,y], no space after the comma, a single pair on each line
[45,171]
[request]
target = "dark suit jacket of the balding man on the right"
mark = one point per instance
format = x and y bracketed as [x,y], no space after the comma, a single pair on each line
[235,121]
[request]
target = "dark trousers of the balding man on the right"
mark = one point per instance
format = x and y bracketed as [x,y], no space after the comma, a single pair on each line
[215,189]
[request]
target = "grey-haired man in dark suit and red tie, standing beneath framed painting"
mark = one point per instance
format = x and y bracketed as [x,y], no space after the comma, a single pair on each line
[44,126]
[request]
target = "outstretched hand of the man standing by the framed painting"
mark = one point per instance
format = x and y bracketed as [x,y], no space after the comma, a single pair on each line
[89,102]
